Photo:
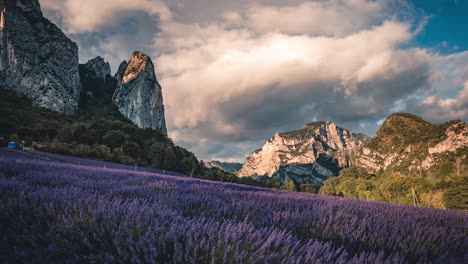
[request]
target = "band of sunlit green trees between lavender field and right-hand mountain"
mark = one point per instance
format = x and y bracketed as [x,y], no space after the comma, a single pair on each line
[446,192]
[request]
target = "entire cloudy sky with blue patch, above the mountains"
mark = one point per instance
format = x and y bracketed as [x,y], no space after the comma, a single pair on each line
[235,72]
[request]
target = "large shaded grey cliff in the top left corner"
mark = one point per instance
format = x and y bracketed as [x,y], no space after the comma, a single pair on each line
[36,59]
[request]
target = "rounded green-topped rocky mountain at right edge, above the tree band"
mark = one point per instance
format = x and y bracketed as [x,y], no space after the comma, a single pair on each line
[406,143]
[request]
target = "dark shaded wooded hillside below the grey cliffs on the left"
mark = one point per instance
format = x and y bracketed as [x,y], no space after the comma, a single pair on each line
[96,131]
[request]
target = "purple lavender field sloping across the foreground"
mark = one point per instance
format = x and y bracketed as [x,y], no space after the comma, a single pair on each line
[63,212]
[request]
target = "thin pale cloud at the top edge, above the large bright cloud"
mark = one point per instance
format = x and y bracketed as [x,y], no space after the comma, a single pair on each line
[329,18]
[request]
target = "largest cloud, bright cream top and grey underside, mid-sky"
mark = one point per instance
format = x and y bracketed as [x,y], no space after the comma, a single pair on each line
[233,82]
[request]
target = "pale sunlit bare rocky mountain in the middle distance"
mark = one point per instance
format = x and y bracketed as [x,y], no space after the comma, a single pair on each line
[305,146]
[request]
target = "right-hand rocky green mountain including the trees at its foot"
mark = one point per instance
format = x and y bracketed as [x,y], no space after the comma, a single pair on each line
[410,161]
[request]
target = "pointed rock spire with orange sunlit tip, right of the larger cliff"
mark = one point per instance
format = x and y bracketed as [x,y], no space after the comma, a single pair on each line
[138,95]
